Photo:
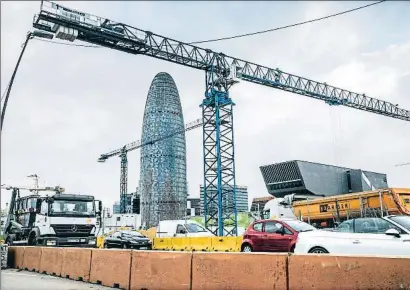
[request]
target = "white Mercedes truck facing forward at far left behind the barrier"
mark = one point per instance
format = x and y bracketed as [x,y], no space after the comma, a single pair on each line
[58,220]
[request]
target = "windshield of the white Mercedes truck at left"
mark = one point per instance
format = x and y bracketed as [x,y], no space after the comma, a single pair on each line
[72,207]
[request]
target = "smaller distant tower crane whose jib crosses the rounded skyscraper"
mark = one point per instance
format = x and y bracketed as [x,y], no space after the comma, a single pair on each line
[122,153]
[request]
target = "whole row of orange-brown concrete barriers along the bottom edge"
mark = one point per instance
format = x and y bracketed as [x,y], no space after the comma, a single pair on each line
[127,269]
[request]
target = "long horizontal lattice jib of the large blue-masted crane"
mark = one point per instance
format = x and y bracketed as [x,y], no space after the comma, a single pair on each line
[122,37]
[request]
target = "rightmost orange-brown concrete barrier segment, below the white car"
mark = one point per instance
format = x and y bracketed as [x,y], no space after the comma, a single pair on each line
[347,272]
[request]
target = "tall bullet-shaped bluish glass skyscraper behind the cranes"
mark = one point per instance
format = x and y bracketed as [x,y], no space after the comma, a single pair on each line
[163,183]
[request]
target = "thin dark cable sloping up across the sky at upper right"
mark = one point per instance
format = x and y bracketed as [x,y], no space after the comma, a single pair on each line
[287,26]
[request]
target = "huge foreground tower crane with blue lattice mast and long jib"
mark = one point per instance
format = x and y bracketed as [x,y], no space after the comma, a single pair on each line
[221,73]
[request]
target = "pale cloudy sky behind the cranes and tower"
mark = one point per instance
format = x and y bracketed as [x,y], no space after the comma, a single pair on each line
[71,104]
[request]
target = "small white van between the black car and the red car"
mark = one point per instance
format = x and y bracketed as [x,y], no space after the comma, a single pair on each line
[181,228]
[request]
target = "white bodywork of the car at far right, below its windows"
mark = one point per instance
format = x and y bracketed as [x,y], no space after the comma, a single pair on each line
[394,241]
